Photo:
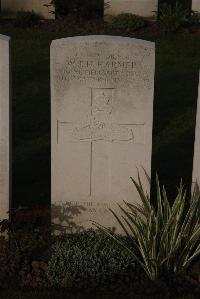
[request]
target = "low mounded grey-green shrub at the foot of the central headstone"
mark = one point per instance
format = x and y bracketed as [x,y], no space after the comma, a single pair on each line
[89,256]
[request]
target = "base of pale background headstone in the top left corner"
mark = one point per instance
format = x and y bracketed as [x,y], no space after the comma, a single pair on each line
[28,5]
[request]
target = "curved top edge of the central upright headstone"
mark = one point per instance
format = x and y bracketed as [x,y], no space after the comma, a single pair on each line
[102,38]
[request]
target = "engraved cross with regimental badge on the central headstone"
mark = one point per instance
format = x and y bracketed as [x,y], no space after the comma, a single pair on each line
[99,125]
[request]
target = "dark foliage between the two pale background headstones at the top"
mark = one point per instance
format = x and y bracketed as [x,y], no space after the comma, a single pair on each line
[87,10]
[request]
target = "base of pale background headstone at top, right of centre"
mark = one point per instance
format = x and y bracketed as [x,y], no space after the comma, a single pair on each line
[145,8]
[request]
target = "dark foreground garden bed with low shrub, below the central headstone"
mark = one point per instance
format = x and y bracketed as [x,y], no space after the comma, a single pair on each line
[32,259]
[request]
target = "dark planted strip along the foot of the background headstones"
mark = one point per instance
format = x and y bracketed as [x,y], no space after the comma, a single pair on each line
[71,26]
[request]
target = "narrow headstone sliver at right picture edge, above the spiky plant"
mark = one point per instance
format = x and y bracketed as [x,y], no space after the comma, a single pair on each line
[196,162]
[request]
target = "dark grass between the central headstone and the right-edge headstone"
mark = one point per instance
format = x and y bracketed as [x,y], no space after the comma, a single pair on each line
[176,89]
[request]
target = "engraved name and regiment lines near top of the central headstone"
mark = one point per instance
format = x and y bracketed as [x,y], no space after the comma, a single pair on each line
[113,69]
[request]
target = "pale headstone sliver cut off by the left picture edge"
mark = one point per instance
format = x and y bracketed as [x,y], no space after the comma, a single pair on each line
[5,186]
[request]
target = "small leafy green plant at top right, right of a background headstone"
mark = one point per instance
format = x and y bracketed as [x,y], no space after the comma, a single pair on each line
[172,17]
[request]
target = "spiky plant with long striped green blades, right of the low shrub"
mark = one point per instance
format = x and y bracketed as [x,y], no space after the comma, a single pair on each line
[163,237]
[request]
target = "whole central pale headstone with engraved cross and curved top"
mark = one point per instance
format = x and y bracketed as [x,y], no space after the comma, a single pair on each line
[102,113]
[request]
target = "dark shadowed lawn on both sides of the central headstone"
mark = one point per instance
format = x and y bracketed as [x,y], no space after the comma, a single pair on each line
[176,82]
